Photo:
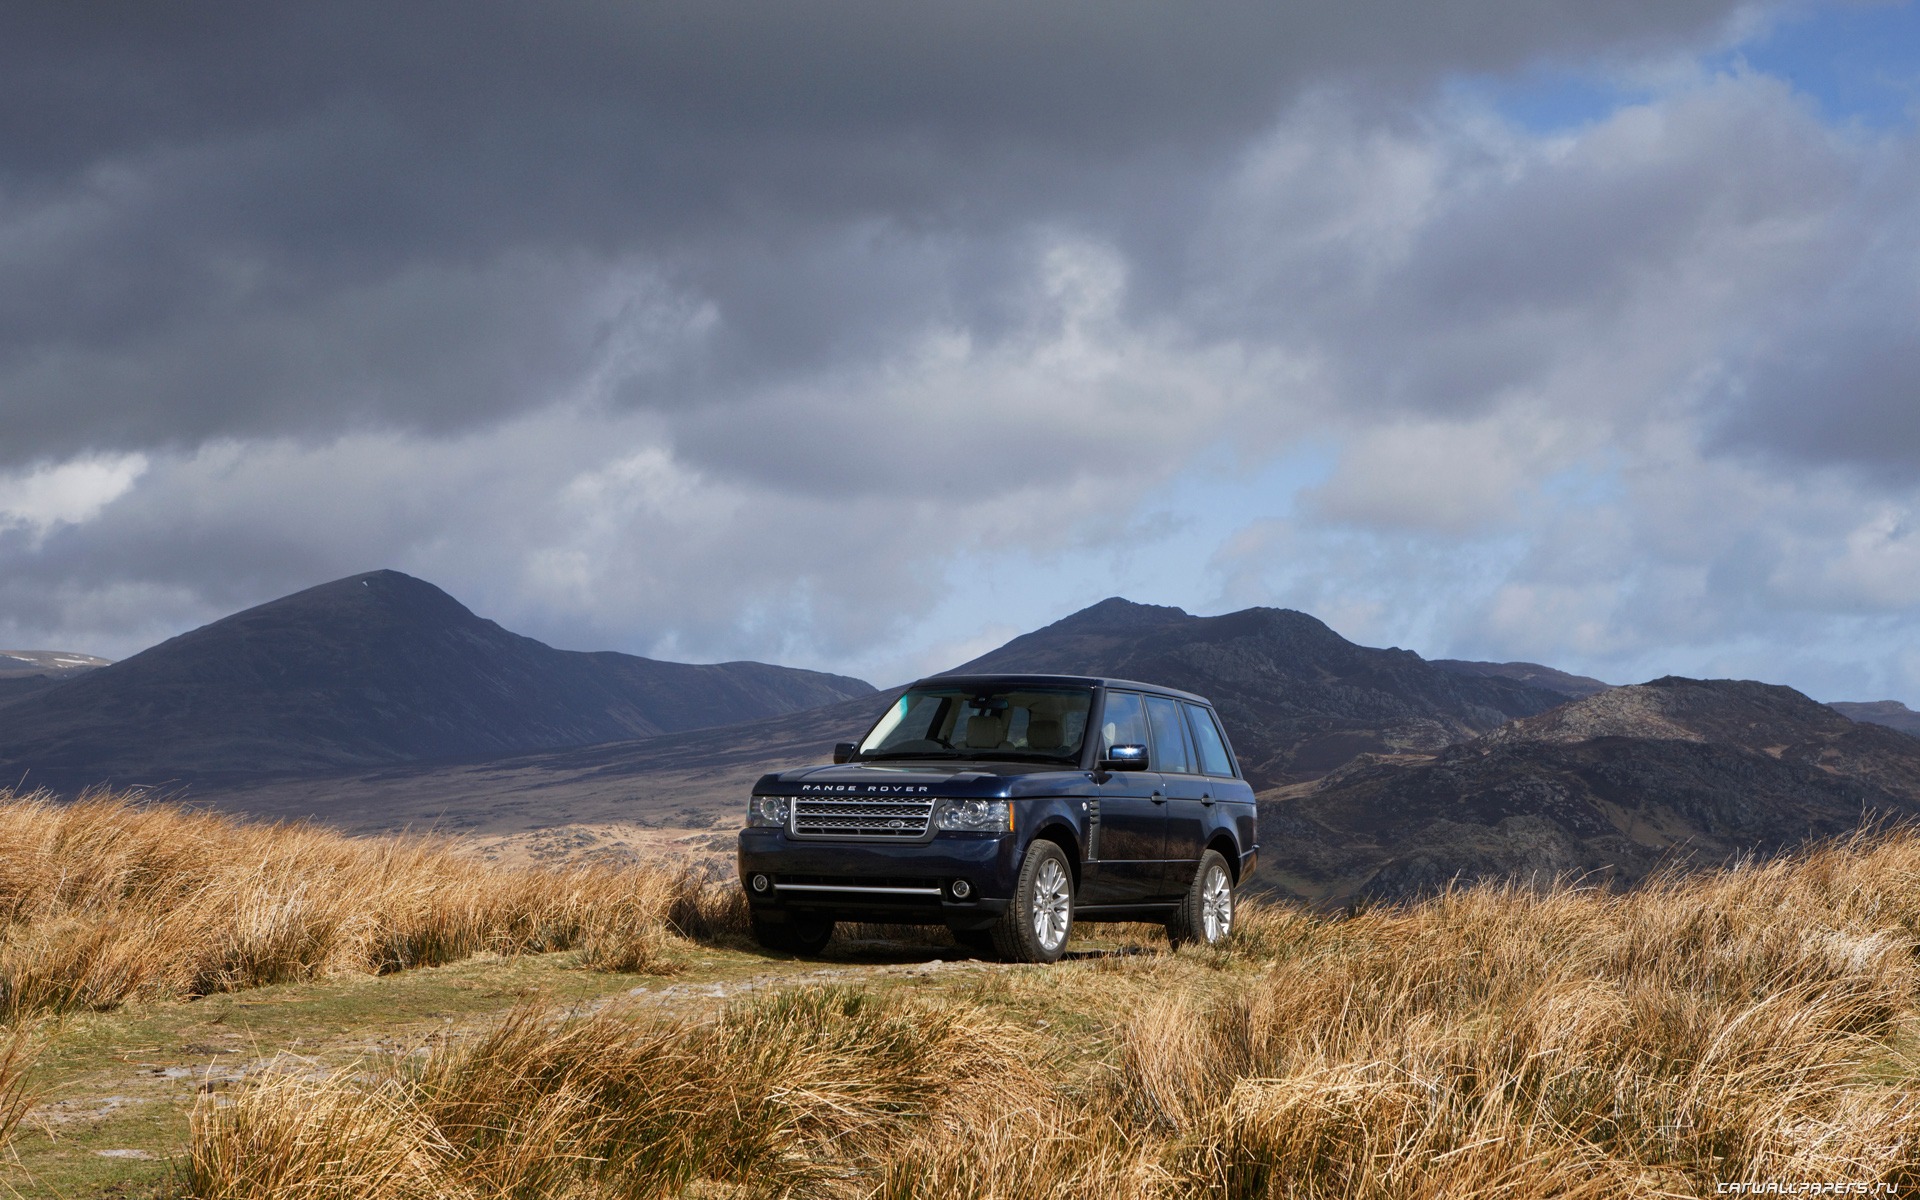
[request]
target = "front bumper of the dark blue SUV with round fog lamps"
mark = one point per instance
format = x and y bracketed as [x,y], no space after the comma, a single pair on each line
[888,884]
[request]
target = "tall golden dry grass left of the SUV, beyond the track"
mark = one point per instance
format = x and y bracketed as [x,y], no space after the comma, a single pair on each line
[107,901]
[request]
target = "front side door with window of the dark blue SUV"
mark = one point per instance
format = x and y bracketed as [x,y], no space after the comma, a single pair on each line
[1126,855]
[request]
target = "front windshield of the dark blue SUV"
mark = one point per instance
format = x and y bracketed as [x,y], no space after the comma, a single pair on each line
[982,723]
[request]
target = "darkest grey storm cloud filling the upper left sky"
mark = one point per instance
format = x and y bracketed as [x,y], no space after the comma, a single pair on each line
[254,220]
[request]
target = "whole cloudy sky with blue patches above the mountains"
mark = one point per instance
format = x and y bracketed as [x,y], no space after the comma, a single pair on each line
[863,335]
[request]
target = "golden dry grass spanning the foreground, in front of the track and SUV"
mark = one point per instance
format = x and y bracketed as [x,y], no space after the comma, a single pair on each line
[1740,1026]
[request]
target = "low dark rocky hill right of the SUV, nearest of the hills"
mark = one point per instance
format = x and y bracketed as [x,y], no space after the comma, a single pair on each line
[1608,788]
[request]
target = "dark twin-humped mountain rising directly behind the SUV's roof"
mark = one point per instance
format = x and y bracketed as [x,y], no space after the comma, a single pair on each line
[1297,698]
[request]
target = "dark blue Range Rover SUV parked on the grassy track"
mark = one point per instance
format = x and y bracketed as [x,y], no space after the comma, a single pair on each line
[1009,807]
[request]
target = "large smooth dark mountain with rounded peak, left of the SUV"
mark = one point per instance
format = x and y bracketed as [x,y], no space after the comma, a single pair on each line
[373,669]
